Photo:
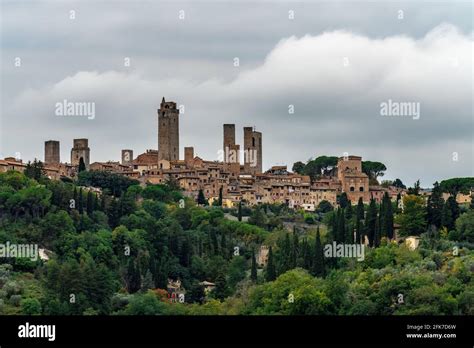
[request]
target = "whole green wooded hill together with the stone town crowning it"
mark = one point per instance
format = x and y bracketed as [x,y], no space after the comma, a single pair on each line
[157,234]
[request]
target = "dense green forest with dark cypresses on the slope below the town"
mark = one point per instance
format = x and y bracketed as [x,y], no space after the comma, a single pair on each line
[113,246]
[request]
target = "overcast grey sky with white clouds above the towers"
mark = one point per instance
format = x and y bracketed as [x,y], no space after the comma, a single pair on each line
[335,62]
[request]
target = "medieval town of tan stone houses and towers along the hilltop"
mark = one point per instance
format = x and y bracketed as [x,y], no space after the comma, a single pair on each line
[240,182]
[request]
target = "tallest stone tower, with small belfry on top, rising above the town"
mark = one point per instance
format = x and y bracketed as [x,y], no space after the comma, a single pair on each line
[168,131]
